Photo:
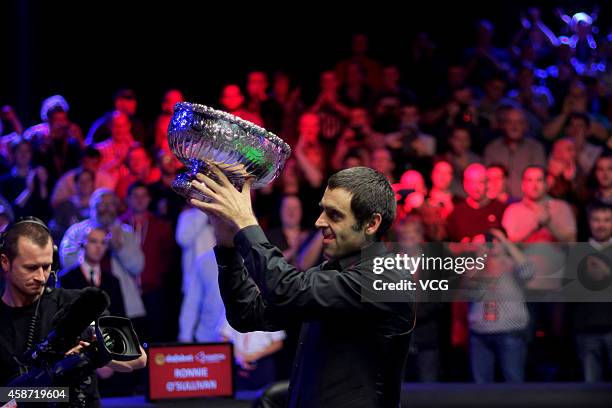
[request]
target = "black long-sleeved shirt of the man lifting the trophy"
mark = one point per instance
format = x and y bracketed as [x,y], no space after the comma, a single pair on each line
[351,350]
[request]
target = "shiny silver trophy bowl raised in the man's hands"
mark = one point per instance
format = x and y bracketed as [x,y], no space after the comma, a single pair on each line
[201,137]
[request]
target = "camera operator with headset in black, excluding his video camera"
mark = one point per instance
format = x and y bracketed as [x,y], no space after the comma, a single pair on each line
[28,306]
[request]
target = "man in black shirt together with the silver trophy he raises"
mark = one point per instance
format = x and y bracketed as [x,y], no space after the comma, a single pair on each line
[351,350]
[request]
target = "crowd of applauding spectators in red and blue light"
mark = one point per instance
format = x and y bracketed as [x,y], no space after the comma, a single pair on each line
[504,143]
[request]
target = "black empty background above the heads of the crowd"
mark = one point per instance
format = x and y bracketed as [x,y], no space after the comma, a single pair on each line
[86,50]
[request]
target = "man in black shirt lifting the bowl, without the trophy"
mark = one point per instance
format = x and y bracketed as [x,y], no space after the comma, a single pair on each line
[352,350]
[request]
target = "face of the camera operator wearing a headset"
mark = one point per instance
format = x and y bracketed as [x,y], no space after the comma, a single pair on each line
[27,274]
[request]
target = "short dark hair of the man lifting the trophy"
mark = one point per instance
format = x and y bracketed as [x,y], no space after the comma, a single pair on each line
[371,194]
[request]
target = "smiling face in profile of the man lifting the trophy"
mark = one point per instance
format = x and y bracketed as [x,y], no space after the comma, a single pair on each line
[341,235]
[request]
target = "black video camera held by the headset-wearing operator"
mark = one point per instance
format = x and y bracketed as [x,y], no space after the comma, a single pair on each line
[112,338]
